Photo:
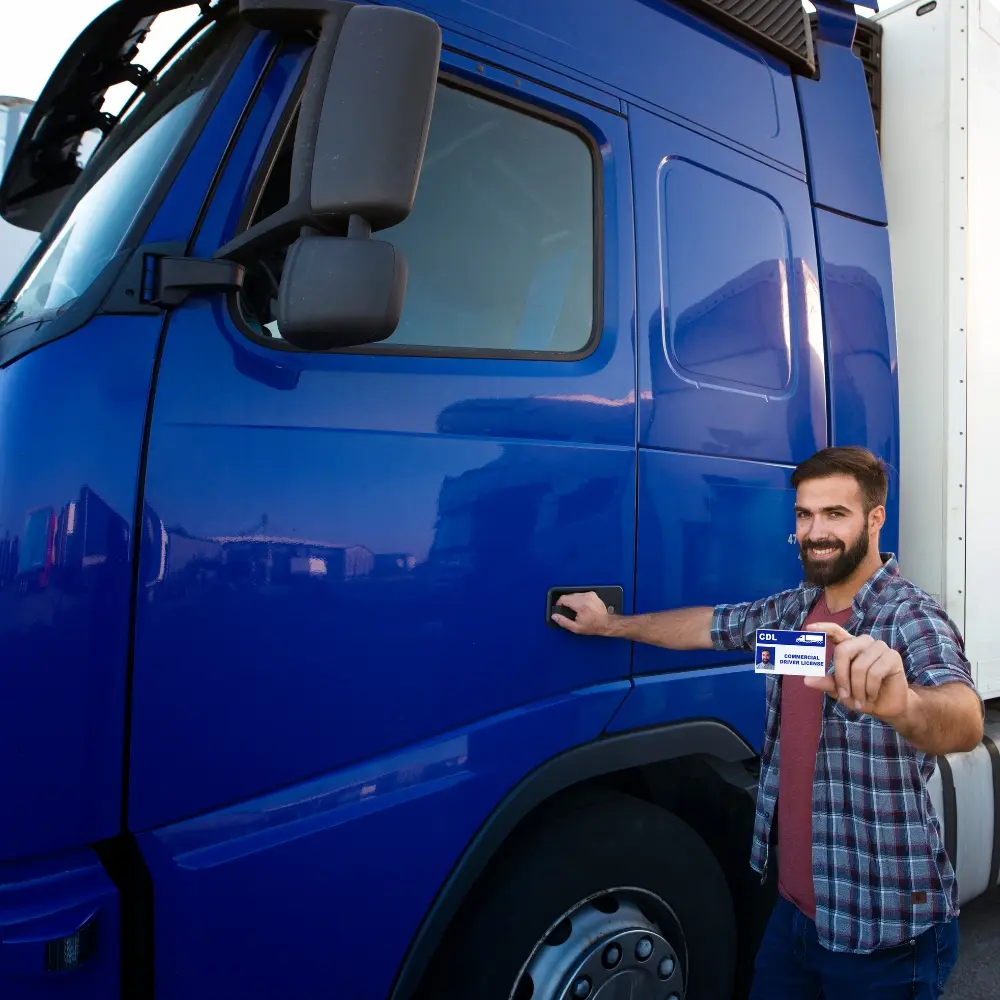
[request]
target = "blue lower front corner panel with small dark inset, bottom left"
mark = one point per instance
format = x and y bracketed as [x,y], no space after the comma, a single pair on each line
[48,899]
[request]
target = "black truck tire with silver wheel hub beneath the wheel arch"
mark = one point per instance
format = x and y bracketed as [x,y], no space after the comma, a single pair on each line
[611,897]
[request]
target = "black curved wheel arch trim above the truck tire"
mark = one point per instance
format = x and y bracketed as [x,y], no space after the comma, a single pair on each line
[707,739]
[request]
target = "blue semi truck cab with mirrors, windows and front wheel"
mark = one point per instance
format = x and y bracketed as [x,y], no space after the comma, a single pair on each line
[365,331]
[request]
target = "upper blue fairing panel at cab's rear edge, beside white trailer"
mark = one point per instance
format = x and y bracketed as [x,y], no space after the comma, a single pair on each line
[845,171]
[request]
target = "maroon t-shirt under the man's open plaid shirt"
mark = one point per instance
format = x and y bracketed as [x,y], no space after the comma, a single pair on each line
[801,720]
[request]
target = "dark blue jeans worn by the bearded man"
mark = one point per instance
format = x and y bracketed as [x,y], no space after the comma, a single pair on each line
[793,965]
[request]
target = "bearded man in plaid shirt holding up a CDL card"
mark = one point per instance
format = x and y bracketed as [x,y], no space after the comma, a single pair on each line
[867,901]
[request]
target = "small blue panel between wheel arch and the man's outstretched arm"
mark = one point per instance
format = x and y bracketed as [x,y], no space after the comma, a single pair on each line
[732,695]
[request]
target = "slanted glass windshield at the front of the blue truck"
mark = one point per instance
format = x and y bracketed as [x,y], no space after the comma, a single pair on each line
[109,195]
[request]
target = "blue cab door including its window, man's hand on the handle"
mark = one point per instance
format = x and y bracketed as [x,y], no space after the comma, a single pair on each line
[346,553]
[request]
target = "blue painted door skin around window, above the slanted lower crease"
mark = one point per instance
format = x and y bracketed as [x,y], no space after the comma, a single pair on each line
[327,586]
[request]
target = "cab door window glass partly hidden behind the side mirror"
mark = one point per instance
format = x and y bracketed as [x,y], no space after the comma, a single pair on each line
[501,241]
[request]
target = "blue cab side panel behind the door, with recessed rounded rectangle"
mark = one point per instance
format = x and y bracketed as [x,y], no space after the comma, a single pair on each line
[733,395]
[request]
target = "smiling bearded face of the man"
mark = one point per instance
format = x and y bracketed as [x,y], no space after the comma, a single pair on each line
[832,530]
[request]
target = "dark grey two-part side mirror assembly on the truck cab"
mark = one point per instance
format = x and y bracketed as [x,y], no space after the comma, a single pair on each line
[359,149]
